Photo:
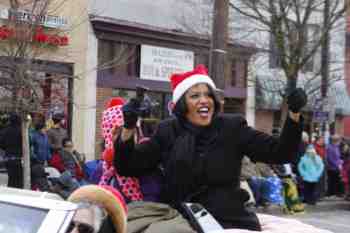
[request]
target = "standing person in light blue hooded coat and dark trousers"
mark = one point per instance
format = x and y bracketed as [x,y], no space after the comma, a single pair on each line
[310,168]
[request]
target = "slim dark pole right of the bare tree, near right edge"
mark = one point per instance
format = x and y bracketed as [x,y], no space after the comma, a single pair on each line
[325,65]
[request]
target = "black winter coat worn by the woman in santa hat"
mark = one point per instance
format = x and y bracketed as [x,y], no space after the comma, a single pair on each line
[210,177]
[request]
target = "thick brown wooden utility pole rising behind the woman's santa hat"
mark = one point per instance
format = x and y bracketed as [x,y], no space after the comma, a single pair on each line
[218,50]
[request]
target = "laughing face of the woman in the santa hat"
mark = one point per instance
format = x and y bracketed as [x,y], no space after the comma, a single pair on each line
[200,105]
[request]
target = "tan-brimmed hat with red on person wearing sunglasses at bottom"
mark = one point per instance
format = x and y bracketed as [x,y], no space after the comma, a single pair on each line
[107,197]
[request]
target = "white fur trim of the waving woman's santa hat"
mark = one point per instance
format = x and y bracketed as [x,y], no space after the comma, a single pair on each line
[189,82]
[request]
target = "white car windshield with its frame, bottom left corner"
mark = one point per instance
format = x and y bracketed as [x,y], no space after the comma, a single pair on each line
[25,211]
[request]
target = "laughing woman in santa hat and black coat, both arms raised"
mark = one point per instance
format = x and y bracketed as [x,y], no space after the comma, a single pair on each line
[200,150]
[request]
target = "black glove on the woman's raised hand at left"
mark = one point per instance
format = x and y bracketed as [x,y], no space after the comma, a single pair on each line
[131,113]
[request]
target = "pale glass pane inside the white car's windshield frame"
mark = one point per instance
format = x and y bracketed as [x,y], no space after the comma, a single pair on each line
[20,219]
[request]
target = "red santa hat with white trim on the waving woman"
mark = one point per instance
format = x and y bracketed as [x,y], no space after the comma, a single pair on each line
[181,82]
